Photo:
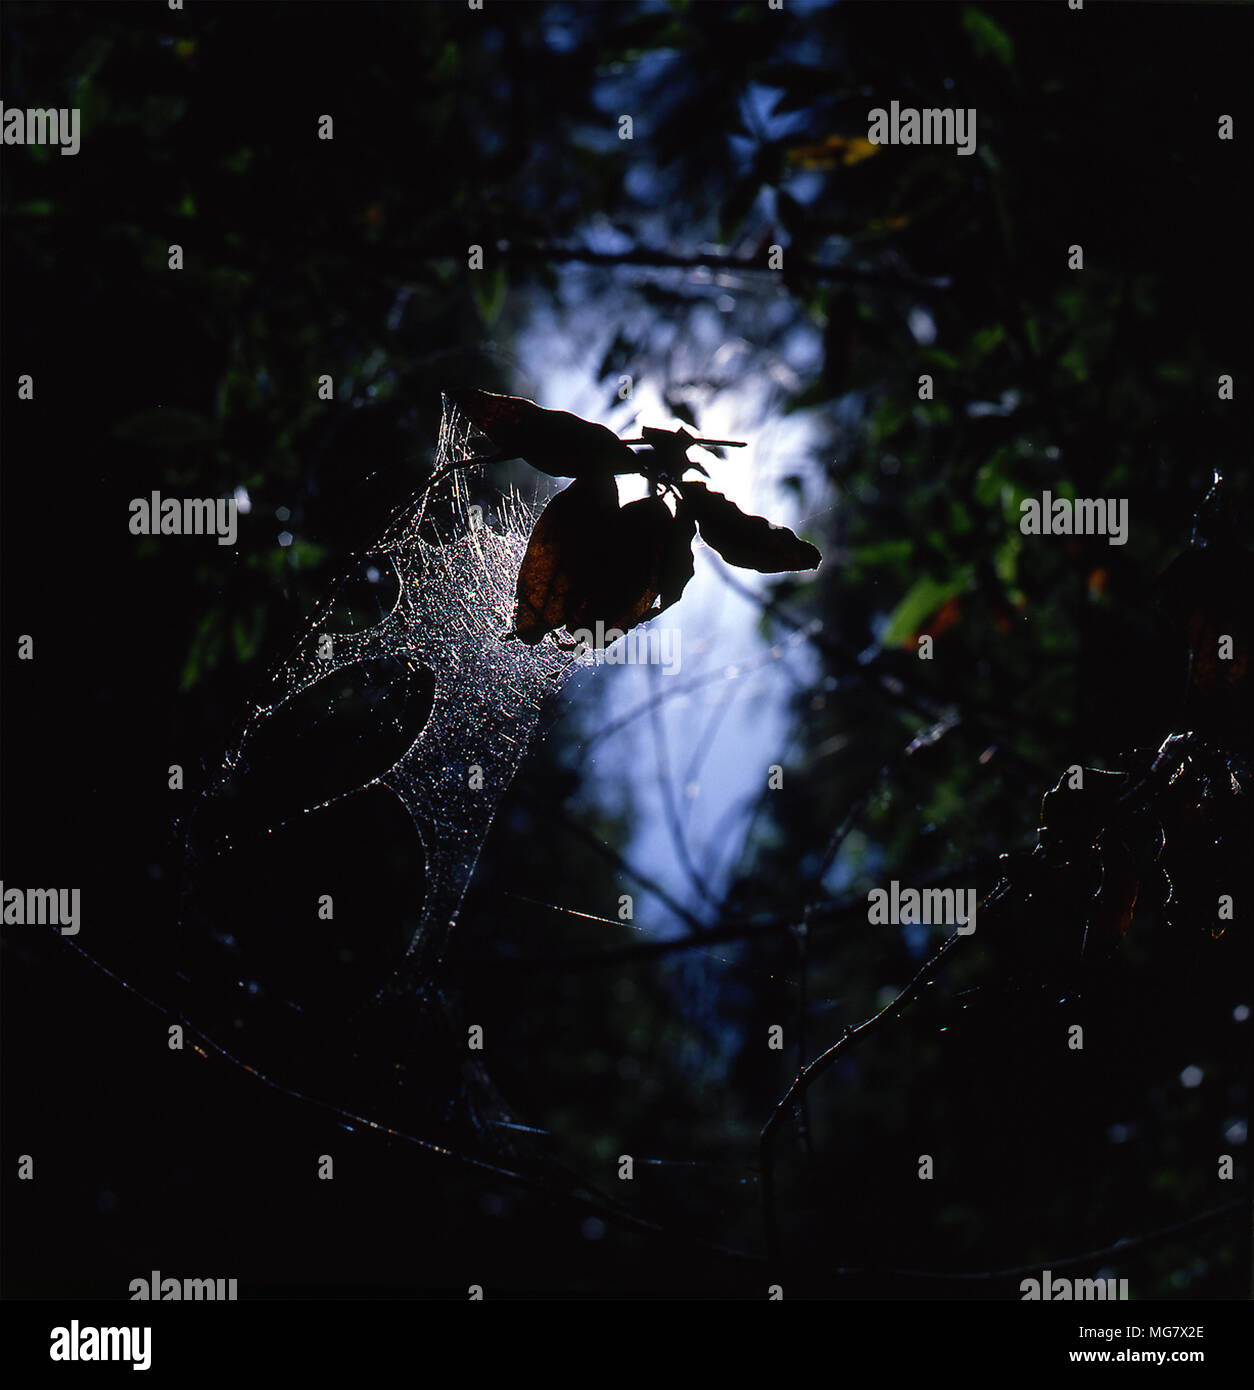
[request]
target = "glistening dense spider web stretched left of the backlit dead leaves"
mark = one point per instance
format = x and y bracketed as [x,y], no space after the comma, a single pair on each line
[454,605]
